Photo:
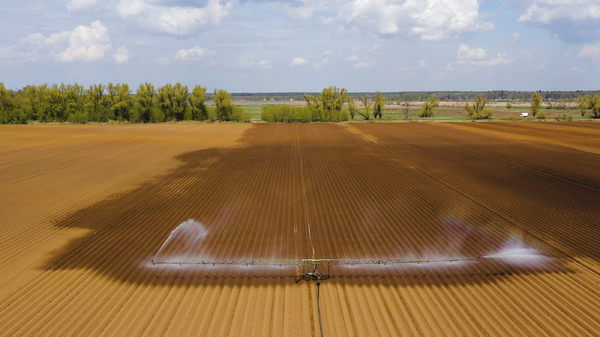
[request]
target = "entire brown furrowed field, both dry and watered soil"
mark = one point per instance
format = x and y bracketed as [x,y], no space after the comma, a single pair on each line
[503,217]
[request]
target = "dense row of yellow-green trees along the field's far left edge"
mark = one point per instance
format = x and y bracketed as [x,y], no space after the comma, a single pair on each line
[115,102]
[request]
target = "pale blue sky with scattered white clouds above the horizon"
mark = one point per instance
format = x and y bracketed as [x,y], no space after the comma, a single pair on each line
[304,45]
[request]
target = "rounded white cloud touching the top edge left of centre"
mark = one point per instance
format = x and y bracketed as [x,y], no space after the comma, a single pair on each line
[174,20]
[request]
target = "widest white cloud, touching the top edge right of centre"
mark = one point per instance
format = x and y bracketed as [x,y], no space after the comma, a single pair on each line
[430,20]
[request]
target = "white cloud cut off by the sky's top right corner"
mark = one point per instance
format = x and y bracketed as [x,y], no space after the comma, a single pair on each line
[545,11]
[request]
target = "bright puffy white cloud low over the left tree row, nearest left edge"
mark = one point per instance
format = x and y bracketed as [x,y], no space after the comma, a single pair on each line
[87,44]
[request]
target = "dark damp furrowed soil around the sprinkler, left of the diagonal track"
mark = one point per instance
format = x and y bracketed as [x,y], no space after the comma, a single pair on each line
[250,202]
